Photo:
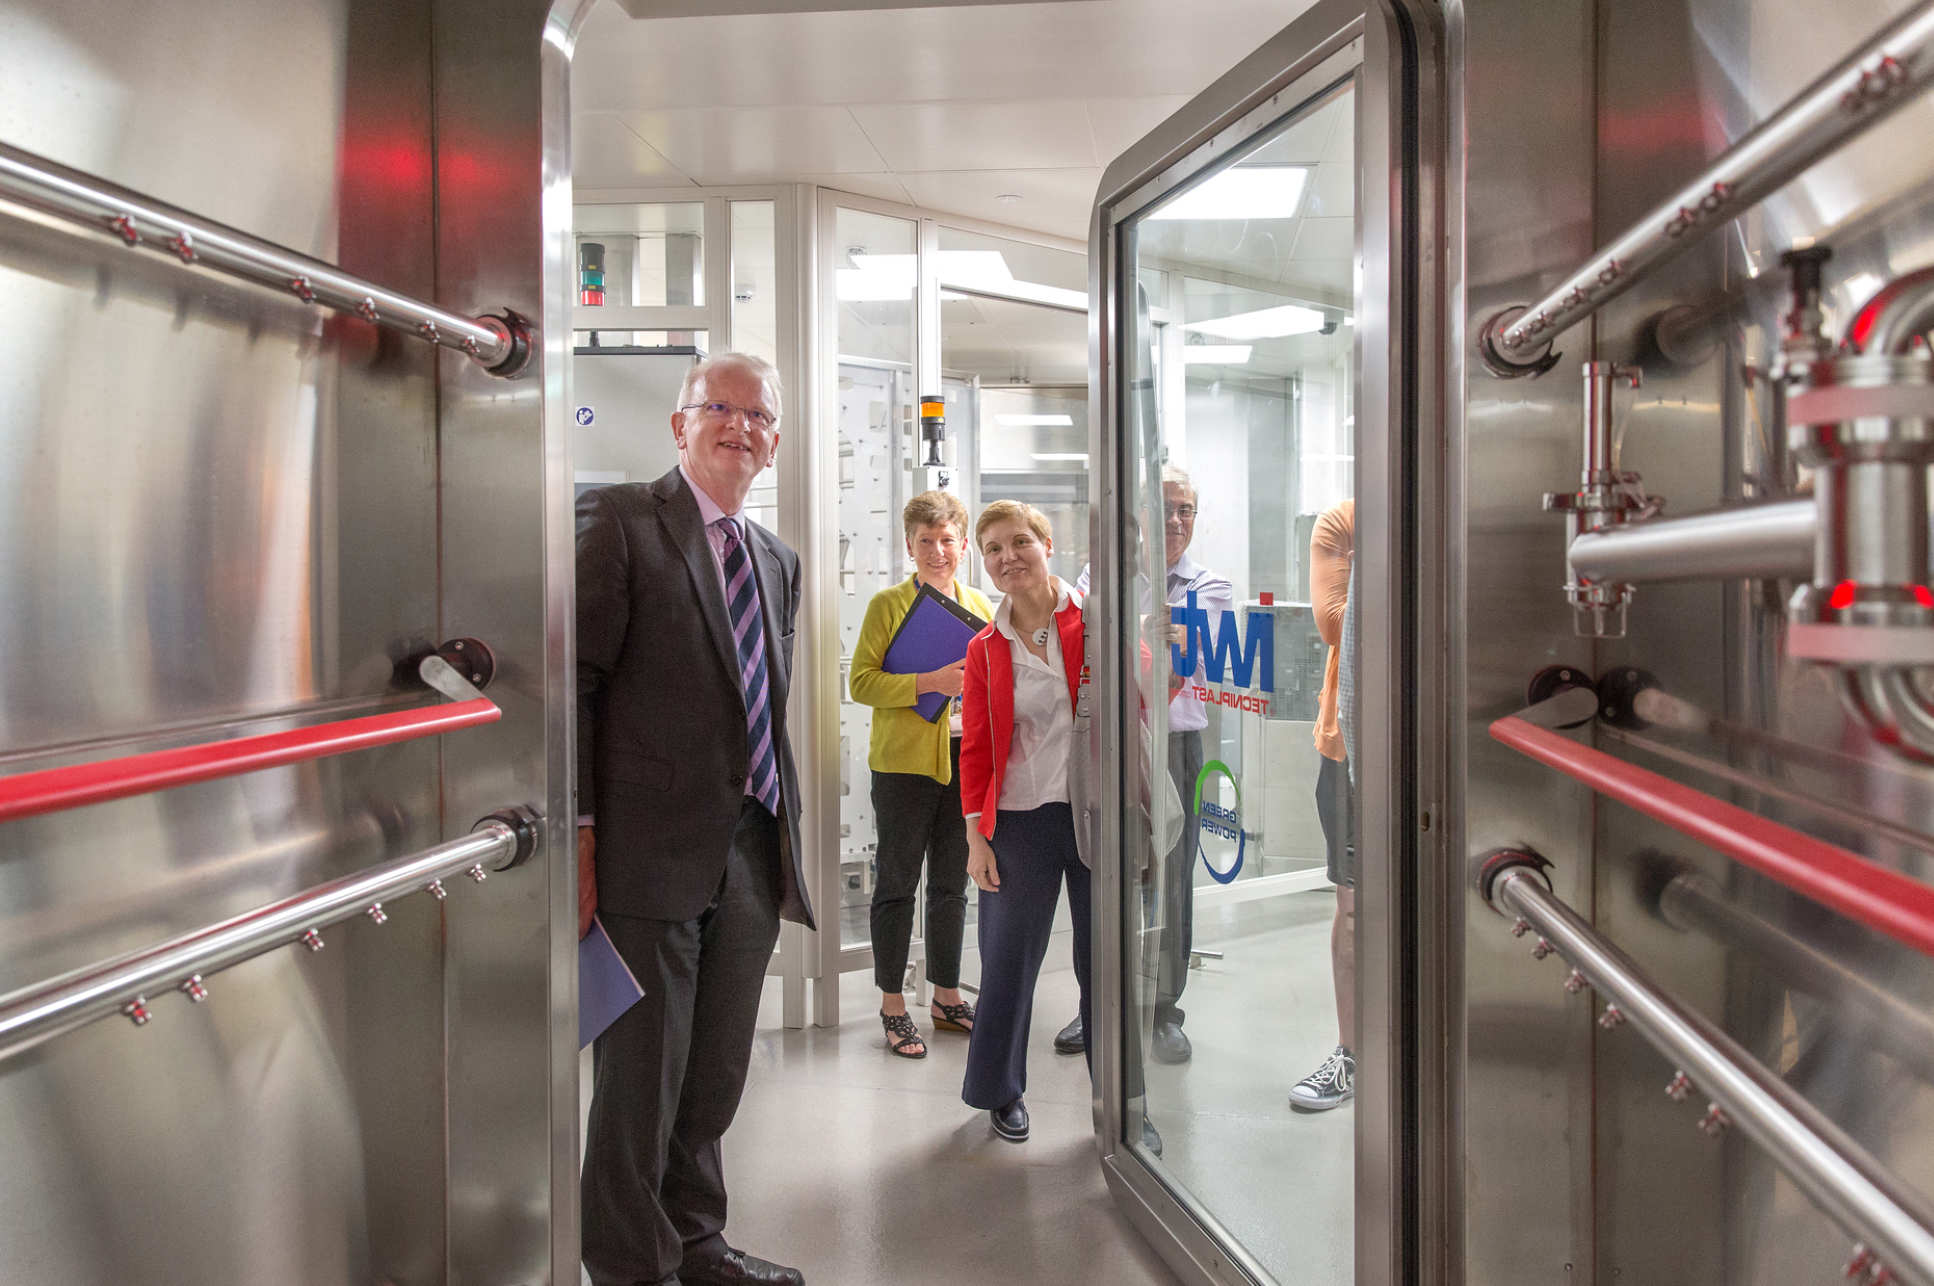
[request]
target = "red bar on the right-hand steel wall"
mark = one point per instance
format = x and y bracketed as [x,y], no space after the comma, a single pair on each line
[1860,889]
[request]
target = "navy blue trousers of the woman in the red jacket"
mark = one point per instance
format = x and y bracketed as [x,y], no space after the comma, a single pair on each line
[1034,852]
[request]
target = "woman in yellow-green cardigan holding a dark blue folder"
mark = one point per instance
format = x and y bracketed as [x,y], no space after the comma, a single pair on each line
[916,782]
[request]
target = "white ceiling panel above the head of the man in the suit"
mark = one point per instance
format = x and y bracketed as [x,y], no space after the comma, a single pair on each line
[736,146]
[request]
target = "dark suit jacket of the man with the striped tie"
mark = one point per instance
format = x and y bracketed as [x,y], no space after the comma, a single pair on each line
[662,742]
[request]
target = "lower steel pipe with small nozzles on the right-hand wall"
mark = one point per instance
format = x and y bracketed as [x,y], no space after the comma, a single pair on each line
[1823,1161]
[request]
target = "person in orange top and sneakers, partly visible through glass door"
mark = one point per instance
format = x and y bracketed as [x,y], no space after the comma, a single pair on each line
[1332,550]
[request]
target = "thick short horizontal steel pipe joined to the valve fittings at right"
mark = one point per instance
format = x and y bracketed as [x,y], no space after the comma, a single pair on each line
[1757,541]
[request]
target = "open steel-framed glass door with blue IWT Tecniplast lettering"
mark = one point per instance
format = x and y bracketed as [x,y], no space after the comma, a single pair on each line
[1256,1026]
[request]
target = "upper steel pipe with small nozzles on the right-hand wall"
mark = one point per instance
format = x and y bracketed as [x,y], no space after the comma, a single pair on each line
[1863,90]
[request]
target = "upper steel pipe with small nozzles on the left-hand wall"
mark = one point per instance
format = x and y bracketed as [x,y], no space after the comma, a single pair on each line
[500,343]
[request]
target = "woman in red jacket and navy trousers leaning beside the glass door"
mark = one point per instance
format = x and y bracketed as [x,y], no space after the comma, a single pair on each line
[1018,740]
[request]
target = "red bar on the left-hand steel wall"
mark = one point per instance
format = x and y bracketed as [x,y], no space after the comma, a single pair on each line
[53,790]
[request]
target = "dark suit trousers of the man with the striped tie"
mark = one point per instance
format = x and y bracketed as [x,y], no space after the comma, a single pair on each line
[670,1072]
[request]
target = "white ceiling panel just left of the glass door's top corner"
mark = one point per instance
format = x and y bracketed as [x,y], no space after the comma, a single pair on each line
[982,136]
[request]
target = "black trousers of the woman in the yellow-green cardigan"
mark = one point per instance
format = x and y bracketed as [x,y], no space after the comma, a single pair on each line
[920,821]
